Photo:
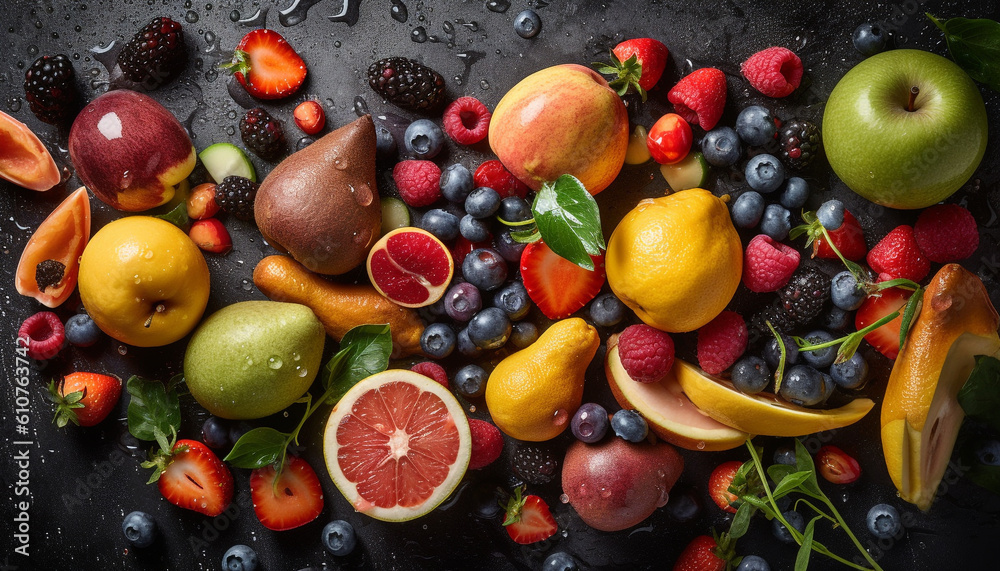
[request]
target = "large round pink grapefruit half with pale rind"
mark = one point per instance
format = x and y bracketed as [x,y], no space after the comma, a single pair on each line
[397,444]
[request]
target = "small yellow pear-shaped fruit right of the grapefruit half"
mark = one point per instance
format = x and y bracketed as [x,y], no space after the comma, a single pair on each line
[532,394]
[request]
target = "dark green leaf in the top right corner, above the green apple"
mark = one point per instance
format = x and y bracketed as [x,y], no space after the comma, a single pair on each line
[975,46]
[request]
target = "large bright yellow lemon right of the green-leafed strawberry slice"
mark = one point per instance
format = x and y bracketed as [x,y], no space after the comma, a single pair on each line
[676,260]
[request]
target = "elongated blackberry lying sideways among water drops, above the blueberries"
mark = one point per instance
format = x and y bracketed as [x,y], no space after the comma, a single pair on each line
[407,84]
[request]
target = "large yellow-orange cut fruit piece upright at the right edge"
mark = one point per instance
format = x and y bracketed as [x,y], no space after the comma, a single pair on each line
[920,413]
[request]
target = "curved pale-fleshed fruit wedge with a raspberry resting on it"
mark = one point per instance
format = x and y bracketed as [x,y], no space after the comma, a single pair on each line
[670,414]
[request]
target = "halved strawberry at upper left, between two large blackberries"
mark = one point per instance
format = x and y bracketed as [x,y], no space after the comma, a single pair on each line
[267,66]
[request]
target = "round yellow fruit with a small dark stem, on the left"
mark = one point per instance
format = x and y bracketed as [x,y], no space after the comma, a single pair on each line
[143,281]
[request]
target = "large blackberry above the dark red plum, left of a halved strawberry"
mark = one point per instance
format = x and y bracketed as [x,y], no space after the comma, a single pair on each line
[155,54]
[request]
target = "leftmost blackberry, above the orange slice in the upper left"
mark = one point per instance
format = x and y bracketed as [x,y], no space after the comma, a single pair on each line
[50,88]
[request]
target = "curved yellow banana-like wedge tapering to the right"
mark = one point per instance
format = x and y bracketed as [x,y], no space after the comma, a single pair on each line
[765,413]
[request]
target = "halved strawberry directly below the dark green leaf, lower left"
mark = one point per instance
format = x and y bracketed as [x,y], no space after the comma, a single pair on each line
[195,479]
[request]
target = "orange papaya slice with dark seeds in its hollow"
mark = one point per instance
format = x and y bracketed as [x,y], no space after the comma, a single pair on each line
[50,262]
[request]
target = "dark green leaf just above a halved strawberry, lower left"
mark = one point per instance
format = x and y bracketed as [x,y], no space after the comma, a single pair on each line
[154,410]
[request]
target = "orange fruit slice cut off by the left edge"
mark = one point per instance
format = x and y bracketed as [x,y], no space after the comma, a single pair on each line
[24,160]
